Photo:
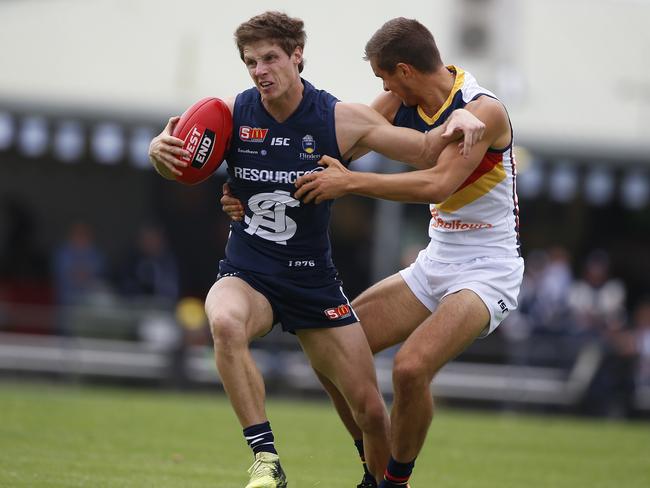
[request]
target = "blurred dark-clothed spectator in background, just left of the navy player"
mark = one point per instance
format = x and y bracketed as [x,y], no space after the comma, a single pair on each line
[151,270]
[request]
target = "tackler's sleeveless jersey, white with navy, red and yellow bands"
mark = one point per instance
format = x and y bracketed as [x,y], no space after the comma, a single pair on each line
[481,218]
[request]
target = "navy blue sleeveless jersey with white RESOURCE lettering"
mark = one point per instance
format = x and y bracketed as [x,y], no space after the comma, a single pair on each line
[279,234]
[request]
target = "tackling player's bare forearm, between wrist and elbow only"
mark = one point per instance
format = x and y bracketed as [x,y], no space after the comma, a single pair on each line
[413,187]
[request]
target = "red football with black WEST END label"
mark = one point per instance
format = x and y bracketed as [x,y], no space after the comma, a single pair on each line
[206,128]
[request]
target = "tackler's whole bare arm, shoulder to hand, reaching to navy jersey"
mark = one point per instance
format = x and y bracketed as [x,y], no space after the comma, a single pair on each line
[431,185]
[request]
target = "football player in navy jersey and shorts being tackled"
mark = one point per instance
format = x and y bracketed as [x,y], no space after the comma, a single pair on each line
[278,267]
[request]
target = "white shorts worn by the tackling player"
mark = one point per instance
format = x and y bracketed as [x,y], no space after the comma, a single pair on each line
[495,280]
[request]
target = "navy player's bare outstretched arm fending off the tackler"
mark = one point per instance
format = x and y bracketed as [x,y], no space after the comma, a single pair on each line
[359,128]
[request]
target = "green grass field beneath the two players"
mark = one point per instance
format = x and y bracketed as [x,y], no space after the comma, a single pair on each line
[54,436]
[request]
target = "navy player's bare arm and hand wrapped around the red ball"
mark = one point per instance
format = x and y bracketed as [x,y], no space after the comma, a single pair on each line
[166,151]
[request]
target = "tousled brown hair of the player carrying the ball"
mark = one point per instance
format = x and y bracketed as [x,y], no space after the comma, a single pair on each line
[285,31]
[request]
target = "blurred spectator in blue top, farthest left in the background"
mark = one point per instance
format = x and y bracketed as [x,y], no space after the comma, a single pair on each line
[78,267]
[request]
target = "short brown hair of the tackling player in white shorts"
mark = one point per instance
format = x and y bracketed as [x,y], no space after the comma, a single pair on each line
[402,40]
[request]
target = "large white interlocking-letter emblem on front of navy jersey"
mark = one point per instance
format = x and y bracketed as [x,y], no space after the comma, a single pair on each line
[269,220]
